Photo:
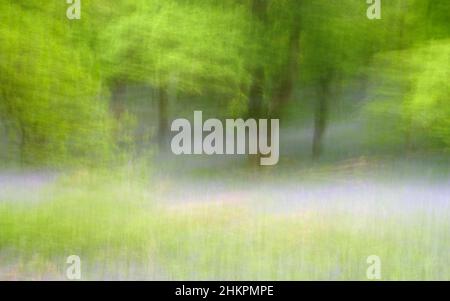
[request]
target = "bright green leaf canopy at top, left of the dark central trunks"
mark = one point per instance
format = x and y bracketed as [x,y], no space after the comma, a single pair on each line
[198,47]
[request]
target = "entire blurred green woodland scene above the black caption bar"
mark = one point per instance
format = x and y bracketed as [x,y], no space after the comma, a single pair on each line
[86,167]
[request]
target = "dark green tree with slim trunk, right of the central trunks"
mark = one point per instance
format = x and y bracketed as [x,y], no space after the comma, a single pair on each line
[337,42]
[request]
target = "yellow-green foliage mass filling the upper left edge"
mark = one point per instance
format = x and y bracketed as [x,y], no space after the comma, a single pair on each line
[51,101]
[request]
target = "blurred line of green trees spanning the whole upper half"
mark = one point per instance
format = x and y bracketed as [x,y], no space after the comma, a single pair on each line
[62,81]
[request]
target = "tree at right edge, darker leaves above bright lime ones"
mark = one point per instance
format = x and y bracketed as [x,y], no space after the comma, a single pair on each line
[409,78]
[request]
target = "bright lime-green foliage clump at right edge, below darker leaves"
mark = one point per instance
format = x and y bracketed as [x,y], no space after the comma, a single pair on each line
[412,93]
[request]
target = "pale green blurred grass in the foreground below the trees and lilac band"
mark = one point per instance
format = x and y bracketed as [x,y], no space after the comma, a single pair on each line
[120,233]
